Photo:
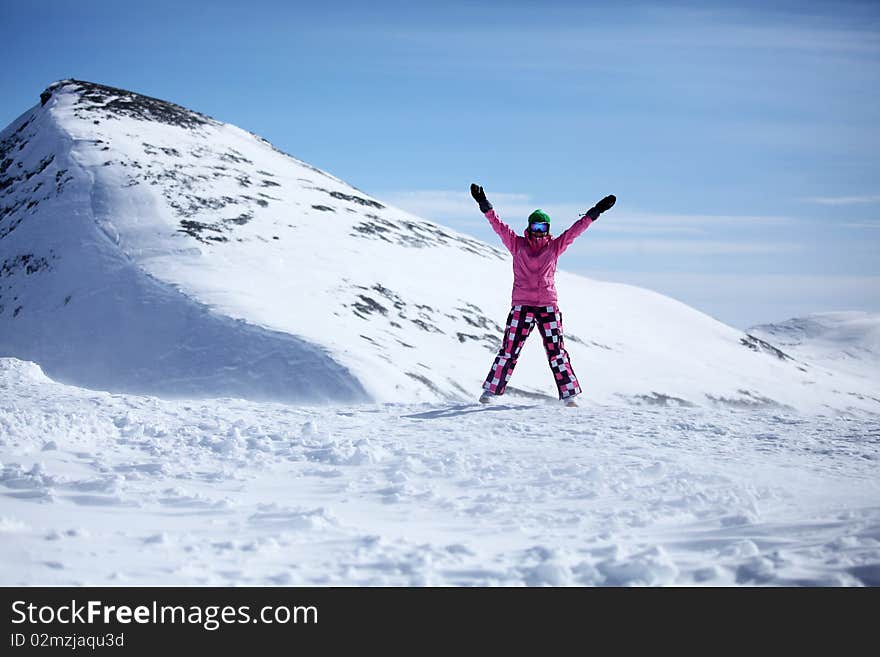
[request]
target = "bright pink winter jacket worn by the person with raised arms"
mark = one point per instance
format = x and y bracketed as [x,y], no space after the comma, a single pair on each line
[534,260]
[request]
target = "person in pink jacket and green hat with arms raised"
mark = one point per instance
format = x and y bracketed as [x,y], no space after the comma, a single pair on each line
[534,295]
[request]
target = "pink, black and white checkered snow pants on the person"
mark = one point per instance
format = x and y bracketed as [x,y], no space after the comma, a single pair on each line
[520,322]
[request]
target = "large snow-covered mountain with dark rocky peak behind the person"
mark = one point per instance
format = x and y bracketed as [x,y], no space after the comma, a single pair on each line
[147,248]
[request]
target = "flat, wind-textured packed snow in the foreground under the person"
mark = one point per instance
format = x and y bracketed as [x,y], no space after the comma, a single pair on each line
[112,489]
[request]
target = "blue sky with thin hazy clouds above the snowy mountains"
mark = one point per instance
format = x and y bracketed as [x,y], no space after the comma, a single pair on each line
[742,142]
